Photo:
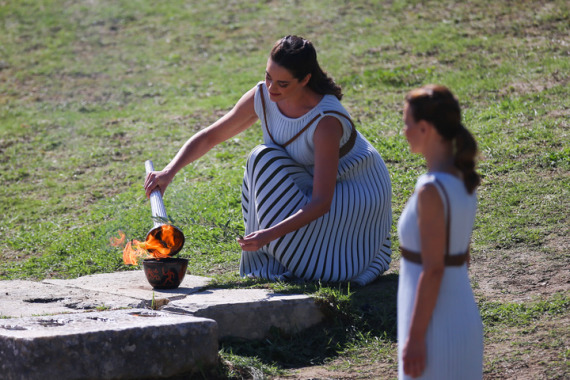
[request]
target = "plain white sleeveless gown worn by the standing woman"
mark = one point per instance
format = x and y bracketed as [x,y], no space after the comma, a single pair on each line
[455,334]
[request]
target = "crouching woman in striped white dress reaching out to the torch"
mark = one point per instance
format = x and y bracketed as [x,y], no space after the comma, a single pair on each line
[316,196]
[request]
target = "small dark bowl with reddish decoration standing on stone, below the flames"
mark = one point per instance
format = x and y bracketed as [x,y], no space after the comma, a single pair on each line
[165,273]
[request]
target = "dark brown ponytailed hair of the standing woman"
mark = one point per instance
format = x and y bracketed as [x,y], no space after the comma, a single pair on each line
[438,106]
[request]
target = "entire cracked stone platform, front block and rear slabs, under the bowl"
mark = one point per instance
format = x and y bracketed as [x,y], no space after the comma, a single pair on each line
[95,326]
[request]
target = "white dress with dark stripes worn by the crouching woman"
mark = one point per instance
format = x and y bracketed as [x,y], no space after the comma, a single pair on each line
[349,243]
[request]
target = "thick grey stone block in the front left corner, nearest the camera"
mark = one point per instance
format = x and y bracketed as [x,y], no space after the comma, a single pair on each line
[121,344]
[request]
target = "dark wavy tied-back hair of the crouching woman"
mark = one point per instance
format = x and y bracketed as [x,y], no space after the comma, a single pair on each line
[299,56]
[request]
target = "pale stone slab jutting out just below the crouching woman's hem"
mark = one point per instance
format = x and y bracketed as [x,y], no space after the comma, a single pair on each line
[250,313]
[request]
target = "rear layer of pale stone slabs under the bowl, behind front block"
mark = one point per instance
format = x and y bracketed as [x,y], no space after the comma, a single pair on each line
[241,313]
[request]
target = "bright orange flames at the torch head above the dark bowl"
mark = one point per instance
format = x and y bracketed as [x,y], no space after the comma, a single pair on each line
[159,244]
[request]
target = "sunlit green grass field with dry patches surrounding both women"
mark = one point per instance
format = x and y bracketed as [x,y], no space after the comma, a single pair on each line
[90,89]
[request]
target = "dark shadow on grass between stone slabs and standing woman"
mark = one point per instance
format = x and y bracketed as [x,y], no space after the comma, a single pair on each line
[352,316]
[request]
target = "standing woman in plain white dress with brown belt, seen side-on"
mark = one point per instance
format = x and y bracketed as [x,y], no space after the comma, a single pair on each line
[440,333]
